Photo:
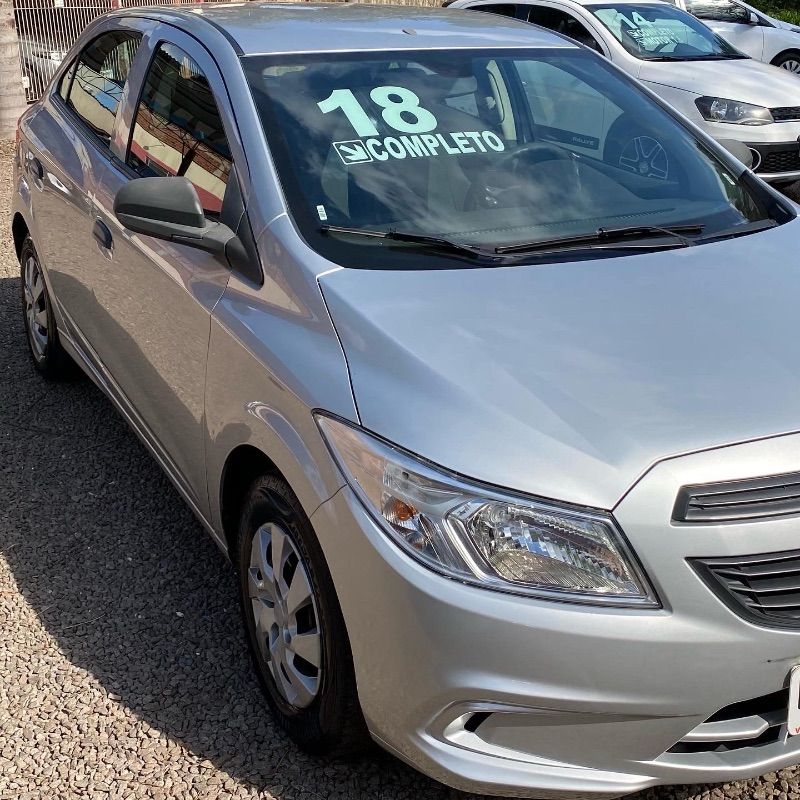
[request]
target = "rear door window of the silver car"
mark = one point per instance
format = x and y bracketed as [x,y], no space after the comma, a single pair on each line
[100,76]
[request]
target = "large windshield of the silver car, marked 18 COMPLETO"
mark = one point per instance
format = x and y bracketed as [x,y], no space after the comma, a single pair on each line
[464,153]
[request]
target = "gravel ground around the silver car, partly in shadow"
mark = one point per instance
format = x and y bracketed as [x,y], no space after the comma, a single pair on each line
[123,671]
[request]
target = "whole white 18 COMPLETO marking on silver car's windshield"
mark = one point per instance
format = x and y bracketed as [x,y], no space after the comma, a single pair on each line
[416,127]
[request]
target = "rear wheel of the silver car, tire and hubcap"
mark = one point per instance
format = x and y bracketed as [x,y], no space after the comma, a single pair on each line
[49,357]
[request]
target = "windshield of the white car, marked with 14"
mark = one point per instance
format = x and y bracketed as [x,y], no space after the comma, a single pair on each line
[657,32]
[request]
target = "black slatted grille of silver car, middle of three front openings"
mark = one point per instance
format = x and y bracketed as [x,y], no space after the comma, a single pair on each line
[764,589]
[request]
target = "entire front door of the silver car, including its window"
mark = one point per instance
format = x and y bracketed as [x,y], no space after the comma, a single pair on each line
[155,298]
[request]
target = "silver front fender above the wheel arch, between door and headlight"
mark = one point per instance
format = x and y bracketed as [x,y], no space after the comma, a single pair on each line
[274,357]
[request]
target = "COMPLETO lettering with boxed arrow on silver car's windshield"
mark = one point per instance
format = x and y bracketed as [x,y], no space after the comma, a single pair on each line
[425,145]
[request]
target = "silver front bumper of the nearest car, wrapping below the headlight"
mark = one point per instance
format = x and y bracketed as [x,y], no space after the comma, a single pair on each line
[520,697]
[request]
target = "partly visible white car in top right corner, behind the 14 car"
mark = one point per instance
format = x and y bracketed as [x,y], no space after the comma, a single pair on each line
[752,31]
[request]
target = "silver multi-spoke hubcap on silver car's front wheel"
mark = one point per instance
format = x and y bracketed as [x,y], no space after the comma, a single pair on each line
[285,615]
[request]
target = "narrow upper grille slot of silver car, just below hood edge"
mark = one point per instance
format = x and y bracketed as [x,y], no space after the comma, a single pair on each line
[735,501]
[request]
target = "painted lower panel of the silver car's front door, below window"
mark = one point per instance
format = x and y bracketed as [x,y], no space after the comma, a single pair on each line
[154,314]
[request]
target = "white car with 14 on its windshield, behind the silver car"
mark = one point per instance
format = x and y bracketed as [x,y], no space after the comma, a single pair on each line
[723,91]
